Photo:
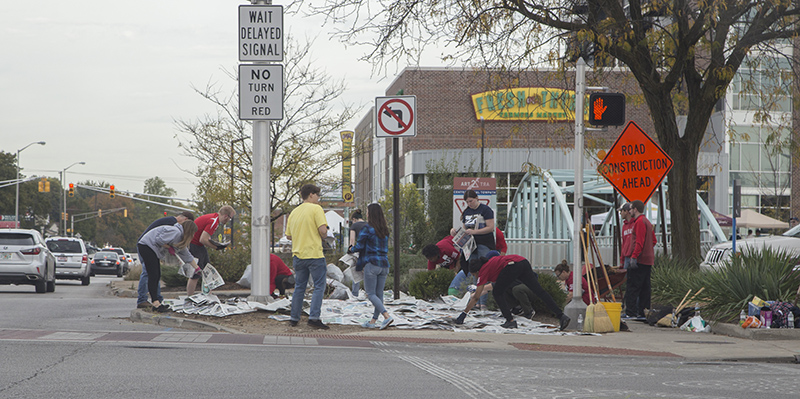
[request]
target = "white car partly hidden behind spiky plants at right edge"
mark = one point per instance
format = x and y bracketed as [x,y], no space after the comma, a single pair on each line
[718,254]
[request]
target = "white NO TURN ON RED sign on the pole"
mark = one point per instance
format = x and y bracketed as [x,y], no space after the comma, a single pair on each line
[261,92]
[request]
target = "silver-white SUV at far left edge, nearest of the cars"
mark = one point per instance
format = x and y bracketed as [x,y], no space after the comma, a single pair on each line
[25,259]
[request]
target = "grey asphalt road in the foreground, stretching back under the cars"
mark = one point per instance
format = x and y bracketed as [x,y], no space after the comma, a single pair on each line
[72,364]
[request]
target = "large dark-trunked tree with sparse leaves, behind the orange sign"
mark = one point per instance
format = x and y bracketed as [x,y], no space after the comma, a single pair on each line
[683,54]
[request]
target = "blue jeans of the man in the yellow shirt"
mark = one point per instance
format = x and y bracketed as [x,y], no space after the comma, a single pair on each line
[302,269]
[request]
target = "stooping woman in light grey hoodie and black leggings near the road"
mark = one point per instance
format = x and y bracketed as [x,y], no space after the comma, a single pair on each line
[154,246]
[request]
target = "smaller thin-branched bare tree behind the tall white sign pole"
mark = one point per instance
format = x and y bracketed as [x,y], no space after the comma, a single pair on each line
[304,145]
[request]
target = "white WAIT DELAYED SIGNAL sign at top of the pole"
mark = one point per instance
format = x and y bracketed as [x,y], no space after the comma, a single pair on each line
[261,33]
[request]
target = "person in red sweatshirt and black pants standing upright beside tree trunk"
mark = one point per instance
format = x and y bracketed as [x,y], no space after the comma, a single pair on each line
[637,299]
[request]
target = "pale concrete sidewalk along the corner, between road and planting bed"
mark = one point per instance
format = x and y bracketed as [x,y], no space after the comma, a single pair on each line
[776,345]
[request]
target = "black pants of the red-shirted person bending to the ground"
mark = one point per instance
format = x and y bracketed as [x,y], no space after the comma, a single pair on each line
[523,272]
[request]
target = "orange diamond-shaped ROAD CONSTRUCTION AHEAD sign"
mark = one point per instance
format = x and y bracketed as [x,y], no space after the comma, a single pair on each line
[635,164]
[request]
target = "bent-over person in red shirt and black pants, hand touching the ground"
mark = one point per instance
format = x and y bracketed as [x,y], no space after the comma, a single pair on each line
[502,271]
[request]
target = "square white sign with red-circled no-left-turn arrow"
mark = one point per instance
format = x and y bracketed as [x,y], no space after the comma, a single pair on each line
[395,116]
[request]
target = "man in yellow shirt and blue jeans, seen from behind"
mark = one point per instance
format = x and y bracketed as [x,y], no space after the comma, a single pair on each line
[307,227]
